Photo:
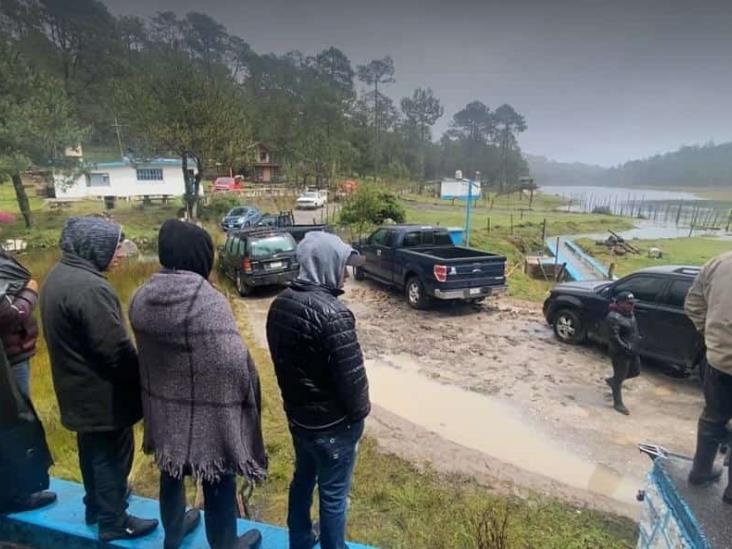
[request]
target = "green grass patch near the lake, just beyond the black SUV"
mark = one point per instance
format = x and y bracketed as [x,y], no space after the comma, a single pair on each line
[676,251]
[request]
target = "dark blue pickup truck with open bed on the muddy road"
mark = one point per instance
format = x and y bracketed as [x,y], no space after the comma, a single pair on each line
[425,264]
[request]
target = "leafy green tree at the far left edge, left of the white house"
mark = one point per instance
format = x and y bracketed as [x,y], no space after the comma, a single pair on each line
[35,123]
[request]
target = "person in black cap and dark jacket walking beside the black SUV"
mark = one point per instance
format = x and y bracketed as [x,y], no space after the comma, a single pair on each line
[623,347]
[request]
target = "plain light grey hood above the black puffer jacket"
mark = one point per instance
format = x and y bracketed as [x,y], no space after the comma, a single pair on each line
[322,257]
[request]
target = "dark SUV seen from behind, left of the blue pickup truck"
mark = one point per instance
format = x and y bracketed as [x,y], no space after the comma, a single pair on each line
[258,257]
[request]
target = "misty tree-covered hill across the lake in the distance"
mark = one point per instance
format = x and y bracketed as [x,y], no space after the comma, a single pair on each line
[691,166]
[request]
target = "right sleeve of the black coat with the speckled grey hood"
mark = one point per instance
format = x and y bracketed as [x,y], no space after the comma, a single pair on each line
[100,314]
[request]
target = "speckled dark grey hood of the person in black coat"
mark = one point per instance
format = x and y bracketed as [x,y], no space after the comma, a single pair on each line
[92,239]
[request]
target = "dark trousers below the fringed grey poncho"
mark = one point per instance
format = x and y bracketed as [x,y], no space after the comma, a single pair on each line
[219,500]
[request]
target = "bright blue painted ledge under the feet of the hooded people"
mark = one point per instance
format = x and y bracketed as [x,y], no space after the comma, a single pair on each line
[62,525]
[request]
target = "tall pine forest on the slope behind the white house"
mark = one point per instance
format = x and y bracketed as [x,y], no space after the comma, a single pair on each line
[181,84]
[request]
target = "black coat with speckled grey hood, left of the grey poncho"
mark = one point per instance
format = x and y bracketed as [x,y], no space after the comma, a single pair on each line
[93,361]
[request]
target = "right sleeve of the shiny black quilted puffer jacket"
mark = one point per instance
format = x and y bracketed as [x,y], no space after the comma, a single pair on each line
[346,364]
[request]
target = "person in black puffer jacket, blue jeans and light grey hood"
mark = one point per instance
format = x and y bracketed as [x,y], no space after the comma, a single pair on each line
[320,371]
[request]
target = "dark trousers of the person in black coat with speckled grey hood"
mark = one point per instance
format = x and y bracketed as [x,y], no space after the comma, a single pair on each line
[105,459]
